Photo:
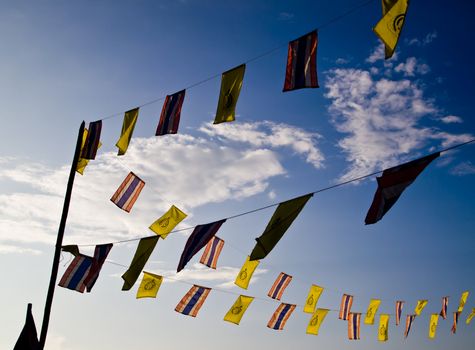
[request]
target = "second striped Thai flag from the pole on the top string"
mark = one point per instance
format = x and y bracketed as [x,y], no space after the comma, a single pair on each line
[170,116]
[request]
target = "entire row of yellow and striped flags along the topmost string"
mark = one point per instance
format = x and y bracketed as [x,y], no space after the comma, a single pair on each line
[300,72]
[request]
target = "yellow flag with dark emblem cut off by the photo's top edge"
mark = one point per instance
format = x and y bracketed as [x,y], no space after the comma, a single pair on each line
[390,26]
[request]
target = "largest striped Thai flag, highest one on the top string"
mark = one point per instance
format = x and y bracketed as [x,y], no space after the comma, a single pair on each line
[301,69]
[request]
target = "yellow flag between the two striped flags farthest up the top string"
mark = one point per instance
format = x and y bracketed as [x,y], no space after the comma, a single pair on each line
[231,83]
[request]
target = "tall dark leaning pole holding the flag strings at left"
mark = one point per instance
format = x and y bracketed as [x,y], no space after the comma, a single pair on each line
[59,240]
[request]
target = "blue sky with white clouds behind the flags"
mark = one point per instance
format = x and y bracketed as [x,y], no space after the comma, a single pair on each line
[63,63]
